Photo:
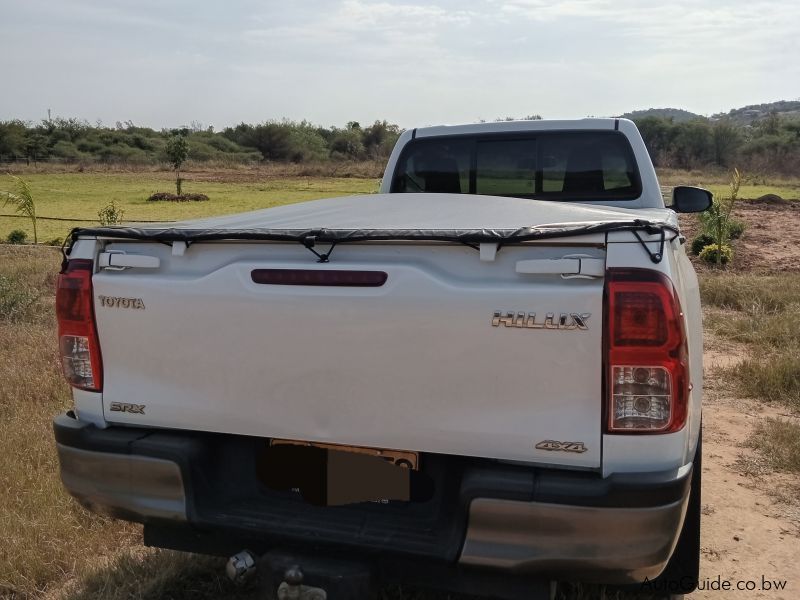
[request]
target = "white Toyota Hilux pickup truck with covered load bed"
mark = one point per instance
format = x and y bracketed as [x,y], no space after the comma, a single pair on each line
[484,378]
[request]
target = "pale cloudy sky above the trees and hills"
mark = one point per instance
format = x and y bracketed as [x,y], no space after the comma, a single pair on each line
[166,63]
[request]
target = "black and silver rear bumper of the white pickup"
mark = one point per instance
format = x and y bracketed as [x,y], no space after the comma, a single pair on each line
[198,492]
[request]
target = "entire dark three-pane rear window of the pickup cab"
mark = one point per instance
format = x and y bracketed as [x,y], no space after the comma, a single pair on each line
[596,165]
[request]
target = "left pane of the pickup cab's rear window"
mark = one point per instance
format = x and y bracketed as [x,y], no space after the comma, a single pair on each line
[439,166]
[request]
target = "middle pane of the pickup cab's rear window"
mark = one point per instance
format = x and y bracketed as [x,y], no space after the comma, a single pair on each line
[506,167]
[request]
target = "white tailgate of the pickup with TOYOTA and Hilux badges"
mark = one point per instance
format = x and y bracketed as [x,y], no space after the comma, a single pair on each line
[419,363]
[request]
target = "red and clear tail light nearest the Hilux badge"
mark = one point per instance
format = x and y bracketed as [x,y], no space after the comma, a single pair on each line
[647,377]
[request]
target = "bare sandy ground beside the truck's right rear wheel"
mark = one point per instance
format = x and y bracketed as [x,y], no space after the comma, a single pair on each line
[751,522]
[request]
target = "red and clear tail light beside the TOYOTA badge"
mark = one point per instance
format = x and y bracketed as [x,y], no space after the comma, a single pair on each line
[77,333]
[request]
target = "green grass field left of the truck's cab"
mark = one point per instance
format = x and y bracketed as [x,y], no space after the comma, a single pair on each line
[82,195]
